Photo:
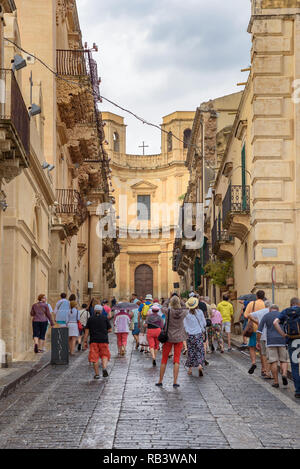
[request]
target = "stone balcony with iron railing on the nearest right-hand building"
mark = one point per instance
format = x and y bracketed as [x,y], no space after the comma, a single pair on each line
[236,211]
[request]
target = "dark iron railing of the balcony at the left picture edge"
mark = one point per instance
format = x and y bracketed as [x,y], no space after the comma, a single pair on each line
[13,112]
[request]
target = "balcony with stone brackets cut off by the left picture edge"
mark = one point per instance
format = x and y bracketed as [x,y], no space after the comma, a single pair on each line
[14,128]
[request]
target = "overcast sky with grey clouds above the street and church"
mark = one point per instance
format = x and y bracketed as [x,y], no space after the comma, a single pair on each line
[160,56]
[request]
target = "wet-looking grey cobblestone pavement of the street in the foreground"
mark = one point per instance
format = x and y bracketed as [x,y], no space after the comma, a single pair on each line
[63,407]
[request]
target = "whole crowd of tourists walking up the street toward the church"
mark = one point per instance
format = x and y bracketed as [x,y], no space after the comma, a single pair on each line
[174,326]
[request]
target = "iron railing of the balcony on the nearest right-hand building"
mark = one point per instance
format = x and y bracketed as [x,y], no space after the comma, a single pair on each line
[236,201]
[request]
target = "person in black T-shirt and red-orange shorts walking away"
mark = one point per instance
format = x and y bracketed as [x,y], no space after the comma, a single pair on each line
[97,328]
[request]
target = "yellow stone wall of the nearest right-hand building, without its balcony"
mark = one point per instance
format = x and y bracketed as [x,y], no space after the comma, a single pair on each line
[268,122]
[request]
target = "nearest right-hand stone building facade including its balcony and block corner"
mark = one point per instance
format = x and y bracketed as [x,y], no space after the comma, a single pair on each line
[253,213]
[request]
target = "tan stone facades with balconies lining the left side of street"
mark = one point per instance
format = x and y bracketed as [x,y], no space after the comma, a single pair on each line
[53,167]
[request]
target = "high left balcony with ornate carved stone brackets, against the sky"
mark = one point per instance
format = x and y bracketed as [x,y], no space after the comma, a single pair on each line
[81,125]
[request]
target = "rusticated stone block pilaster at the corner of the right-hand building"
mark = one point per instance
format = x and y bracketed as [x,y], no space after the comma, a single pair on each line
[274,154]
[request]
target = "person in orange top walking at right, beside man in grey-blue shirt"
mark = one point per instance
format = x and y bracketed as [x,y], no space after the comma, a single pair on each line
[251,328]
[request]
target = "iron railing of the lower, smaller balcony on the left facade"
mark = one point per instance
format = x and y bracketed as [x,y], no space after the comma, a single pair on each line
[71,203]
